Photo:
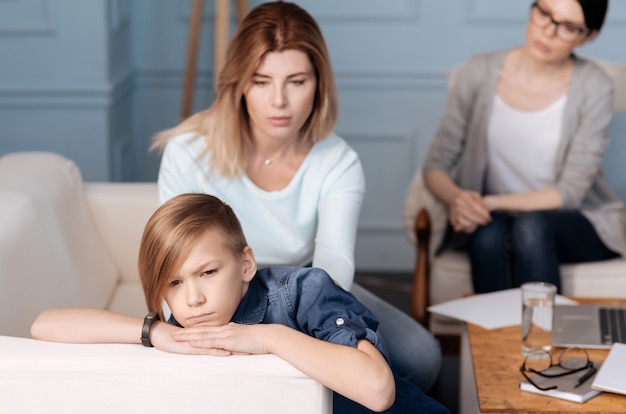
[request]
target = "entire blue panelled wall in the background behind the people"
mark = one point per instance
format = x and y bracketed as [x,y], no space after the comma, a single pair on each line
[94,80]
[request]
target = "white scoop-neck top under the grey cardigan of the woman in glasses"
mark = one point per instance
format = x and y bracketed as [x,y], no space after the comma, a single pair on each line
[523,147]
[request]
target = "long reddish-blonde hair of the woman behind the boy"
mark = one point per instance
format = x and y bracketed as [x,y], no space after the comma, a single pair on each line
[269,27]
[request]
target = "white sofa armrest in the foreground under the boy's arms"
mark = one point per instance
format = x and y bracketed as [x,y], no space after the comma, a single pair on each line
[48,377]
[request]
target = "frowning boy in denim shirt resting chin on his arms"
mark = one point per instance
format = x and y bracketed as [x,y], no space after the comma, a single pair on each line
[194,255]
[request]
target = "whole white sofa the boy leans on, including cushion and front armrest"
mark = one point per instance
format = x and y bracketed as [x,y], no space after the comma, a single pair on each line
[68,243]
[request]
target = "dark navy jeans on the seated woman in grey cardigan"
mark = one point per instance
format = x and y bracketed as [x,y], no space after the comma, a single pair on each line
[514,249]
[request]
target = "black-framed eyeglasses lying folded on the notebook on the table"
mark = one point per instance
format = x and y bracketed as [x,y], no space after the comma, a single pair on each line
[571,361]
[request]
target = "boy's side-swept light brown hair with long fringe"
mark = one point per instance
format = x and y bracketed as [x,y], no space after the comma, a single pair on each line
[171,233]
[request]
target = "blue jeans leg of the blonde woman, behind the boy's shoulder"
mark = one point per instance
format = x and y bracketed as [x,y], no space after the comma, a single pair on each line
[414,352]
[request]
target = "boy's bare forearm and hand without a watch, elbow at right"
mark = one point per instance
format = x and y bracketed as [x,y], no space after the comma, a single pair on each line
[360,374]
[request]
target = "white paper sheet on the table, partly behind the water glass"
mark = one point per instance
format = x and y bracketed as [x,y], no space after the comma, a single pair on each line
[489,310]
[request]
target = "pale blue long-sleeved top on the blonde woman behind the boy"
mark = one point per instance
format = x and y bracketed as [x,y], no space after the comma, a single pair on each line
[312,220]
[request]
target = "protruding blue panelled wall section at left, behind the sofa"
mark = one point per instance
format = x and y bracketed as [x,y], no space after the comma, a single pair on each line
[59,86]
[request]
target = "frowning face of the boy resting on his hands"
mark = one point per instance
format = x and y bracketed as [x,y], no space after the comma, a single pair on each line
[210,284]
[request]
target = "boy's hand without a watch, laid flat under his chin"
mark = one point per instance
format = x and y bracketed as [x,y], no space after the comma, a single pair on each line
[229,339]
